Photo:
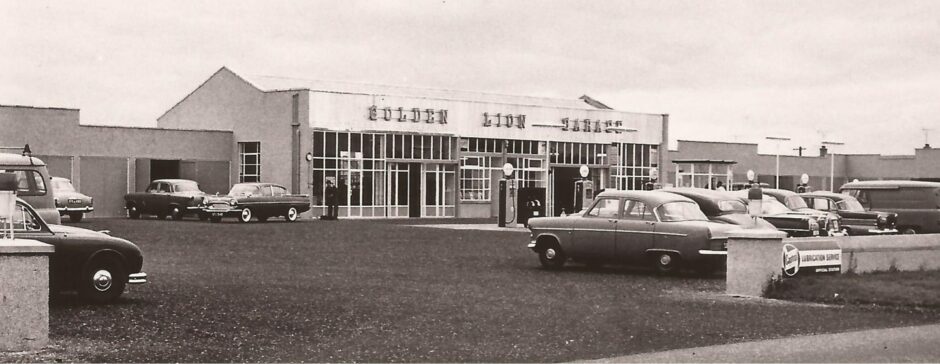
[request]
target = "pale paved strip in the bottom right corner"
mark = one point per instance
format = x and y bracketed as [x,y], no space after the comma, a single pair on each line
[905,344]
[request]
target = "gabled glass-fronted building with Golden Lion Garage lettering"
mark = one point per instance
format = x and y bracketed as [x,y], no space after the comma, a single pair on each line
[408,152]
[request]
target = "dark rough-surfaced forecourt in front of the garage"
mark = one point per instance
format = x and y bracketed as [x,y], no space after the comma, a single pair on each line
[383,291]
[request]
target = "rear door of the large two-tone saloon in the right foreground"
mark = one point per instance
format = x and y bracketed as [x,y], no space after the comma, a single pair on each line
[635,231]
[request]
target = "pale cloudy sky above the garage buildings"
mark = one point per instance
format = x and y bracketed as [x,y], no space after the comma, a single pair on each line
[863,73]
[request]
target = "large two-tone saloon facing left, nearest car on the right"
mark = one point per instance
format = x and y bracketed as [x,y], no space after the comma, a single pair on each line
[663,229]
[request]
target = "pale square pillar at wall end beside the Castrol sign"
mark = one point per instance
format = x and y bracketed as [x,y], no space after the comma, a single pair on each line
[755,259]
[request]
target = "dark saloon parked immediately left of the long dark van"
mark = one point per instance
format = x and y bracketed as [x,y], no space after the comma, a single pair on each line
[855,219]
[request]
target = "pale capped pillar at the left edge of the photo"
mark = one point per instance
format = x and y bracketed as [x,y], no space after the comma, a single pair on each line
[24,294]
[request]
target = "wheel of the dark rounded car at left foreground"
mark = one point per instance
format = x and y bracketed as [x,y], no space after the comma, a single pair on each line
[103,280]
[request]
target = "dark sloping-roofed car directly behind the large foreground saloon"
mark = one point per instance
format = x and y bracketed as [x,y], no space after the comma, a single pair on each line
[722,207]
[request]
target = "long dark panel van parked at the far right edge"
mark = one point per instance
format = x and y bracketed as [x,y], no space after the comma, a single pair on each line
[917,203]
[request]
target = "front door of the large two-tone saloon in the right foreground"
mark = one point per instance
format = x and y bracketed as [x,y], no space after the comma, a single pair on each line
[595,232]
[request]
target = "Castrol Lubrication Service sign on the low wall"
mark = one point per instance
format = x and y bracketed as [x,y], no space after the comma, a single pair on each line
[816,256]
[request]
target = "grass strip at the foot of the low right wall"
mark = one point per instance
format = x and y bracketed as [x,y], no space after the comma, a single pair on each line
[892,289]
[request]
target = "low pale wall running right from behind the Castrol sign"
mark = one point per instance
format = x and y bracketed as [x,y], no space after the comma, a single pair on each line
[864,254]
